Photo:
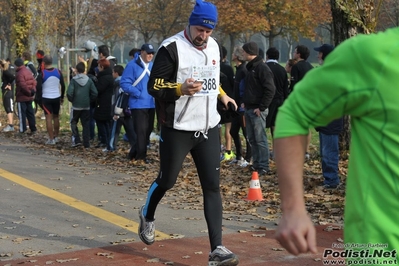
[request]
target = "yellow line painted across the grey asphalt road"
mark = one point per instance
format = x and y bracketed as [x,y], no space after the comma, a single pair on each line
[77,204]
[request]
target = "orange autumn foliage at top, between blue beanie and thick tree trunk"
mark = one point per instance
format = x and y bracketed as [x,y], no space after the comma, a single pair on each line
[291,18]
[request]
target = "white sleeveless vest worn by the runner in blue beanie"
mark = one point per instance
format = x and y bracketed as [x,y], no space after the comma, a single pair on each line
[198,112]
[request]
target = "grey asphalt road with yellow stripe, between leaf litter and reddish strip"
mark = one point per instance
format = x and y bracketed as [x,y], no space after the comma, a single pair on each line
[60,203]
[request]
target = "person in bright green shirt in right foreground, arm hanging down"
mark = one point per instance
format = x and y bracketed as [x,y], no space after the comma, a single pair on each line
[360,79]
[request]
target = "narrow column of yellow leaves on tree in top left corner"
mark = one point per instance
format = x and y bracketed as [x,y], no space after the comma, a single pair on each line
[22,24]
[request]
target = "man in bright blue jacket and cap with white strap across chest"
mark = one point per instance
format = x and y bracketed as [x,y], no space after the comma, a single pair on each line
[134,82]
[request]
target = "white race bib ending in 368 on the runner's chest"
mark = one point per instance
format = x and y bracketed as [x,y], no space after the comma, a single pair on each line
[208,74]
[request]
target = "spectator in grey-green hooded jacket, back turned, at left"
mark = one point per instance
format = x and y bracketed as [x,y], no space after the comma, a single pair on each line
[81,92]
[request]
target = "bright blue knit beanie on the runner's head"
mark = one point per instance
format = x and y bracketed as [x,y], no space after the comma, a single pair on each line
[204,14]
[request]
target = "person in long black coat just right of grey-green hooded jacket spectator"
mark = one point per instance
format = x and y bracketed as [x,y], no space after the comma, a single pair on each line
[102,111]
